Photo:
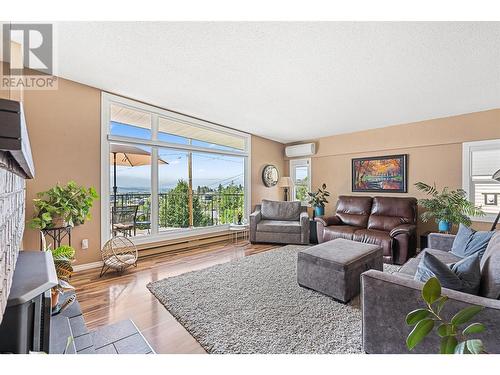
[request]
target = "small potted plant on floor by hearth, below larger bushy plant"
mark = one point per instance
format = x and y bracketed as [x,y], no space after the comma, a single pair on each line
[63,262]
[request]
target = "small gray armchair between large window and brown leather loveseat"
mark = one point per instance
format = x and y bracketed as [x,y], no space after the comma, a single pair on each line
[279,222]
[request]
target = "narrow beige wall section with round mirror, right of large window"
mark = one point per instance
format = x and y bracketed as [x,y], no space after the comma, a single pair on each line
[265,151]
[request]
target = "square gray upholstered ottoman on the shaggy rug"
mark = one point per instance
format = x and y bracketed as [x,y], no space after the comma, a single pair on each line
[334,267]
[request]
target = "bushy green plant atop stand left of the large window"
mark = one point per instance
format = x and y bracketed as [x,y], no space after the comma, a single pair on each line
[62,205]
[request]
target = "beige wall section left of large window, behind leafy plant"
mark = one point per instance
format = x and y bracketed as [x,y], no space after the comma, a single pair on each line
[64,131]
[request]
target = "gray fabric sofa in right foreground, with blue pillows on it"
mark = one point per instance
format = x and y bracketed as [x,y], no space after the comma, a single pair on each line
[387,298]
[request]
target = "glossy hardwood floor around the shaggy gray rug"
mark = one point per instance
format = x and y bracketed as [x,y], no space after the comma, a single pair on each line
[113,297]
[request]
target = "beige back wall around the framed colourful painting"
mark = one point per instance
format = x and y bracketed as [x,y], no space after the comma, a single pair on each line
[434,148]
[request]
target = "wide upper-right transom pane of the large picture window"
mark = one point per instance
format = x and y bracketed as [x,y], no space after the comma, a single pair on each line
[180,132]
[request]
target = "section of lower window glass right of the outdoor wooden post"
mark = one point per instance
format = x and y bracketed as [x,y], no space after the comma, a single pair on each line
[218,184]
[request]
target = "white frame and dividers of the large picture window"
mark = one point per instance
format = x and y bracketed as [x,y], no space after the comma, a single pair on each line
[106,100]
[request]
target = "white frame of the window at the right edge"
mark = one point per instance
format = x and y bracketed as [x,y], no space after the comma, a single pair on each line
[467,149]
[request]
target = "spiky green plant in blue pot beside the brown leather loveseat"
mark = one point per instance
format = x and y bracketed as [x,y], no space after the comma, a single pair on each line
[447,207]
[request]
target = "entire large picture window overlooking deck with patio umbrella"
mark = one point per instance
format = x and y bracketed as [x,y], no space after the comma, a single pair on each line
[167,175]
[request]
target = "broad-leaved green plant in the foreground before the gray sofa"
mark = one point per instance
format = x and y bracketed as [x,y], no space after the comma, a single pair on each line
[455,338]
